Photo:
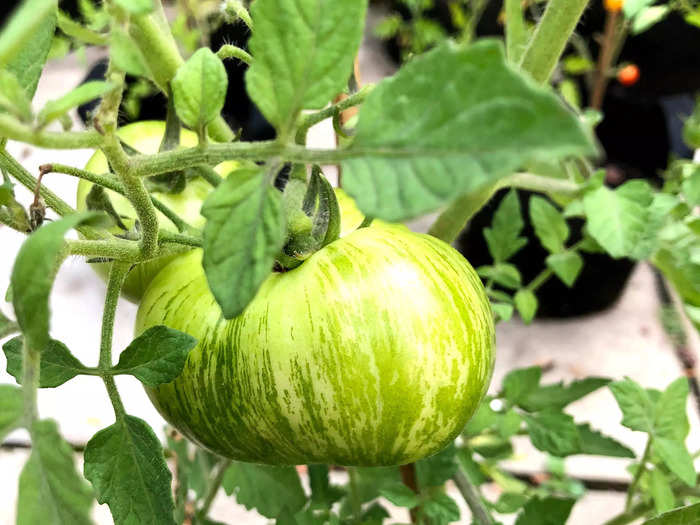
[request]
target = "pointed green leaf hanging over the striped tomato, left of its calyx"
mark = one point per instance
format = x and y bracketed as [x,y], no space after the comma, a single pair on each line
[244,232]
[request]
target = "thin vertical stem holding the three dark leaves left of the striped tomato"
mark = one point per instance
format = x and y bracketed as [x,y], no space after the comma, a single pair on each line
[117,276]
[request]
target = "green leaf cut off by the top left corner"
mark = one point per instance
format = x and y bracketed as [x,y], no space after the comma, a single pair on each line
[25,41]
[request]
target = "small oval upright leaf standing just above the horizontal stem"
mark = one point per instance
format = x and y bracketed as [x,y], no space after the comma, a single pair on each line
[199,89]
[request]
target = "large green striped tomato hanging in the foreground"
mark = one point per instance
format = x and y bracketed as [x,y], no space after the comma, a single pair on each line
[375,351]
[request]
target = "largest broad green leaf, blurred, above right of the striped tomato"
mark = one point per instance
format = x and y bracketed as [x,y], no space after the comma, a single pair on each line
[420,153]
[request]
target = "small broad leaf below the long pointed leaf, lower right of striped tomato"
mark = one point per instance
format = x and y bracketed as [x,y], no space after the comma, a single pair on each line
[553,432]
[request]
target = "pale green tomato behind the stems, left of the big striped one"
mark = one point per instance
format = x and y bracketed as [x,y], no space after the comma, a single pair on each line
[146,137]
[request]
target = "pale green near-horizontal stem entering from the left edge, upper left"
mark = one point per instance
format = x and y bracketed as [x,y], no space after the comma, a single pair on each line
[13,129]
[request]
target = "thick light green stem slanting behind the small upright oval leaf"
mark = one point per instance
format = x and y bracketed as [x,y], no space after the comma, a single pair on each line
[156,42]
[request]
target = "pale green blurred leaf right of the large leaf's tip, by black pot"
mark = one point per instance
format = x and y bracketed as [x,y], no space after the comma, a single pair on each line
[617,219]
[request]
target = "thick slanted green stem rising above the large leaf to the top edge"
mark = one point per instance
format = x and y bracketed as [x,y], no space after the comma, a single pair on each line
[550,38]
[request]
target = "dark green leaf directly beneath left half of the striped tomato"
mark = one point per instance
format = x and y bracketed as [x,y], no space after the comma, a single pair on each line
[253,484]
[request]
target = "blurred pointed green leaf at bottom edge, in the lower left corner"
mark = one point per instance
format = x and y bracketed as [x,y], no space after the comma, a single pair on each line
[50,488]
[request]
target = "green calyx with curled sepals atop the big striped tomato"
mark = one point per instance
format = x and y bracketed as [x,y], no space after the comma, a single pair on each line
[313,216]
